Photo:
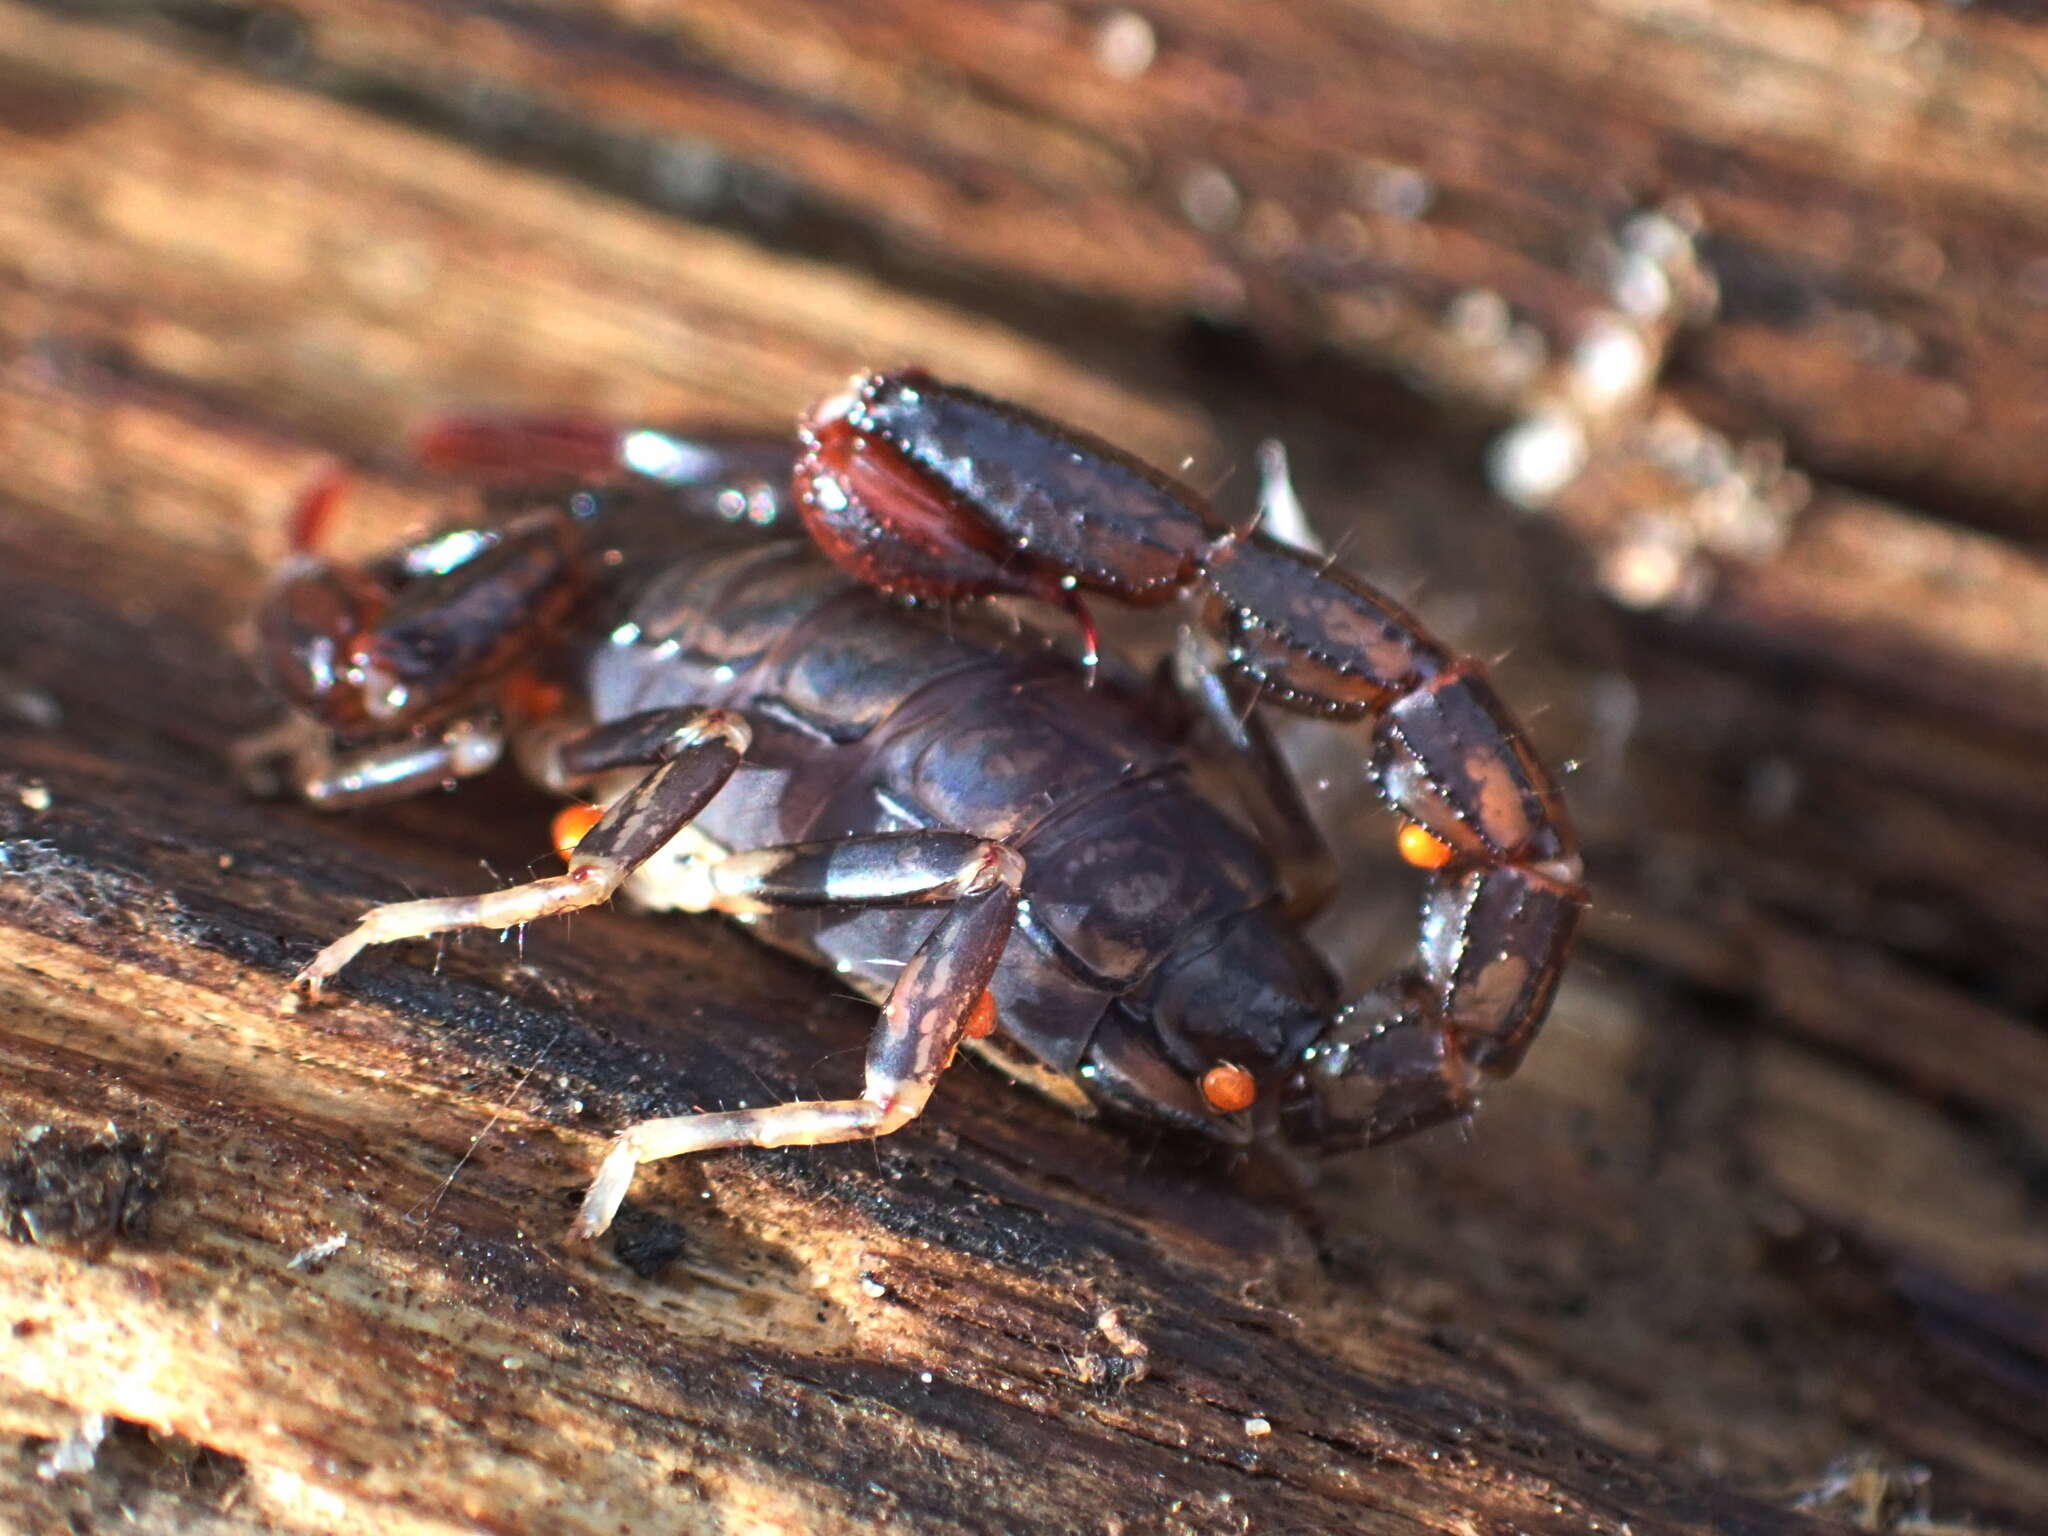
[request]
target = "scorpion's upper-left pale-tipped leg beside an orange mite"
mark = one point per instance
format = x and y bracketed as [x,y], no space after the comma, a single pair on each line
[693,755]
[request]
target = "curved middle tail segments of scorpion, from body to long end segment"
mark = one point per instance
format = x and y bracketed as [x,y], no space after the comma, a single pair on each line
[1482,814]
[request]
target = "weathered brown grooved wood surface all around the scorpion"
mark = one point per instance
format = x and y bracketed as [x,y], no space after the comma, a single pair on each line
[1766,1199]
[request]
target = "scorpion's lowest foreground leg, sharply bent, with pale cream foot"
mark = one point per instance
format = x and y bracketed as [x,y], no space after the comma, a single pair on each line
[931,1009]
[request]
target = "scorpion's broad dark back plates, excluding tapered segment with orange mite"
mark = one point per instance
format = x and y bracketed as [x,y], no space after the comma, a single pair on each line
[871,718]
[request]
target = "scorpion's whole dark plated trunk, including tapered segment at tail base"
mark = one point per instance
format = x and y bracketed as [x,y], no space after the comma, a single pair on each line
[1140,896]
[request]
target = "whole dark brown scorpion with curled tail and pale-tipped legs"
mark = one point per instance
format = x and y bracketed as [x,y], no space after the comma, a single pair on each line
[1000,847]
